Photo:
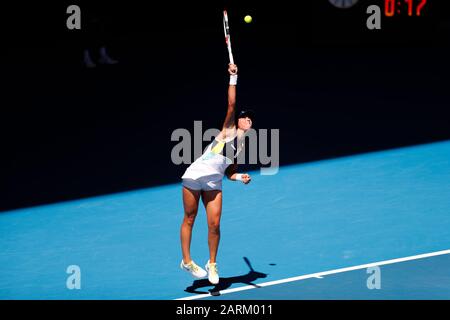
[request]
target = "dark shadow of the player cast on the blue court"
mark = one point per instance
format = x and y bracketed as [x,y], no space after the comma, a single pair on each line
[225,283]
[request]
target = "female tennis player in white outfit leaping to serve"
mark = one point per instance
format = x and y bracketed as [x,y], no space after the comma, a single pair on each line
[203,179]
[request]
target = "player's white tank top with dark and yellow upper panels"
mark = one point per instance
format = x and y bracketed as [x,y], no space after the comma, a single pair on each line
[215,160]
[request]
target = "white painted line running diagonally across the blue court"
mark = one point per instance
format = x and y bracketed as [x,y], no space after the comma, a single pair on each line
[321,274]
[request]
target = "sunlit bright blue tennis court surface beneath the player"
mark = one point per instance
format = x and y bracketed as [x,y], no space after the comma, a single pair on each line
[319,225]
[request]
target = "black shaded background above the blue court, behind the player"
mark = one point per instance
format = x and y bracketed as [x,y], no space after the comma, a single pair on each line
[315,72]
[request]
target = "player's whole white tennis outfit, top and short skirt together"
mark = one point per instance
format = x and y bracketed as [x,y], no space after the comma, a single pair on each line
[206,172]
